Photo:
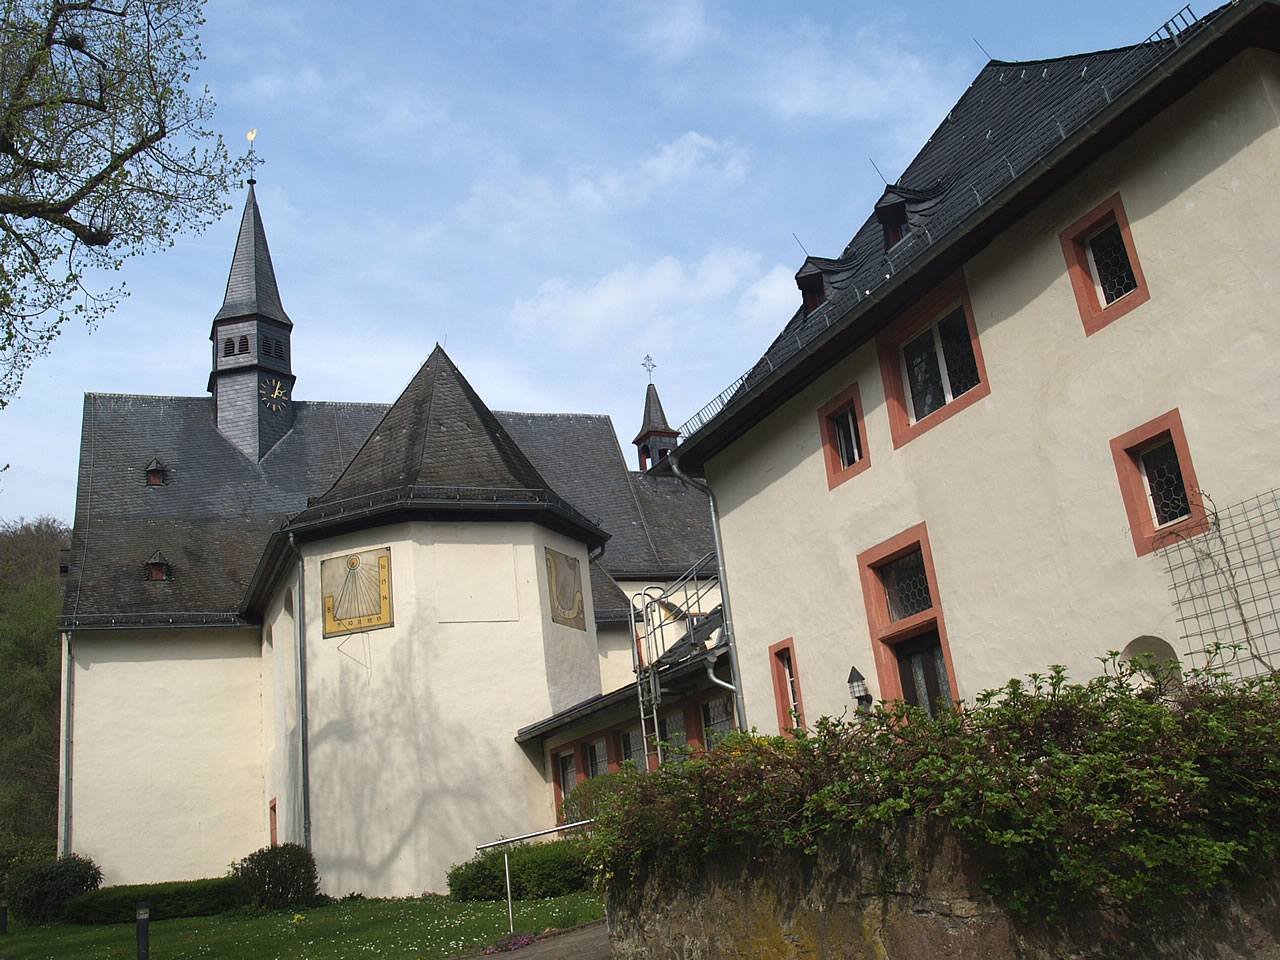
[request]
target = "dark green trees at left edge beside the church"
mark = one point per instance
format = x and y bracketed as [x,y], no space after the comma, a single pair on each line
[30,660]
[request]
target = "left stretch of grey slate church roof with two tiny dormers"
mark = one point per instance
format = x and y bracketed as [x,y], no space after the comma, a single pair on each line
[211,519]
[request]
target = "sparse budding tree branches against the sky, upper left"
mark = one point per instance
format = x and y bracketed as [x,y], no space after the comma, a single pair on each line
[104,154]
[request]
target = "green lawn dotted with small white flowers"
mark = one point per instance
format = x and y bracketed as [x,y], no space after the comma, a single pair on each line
[382,930]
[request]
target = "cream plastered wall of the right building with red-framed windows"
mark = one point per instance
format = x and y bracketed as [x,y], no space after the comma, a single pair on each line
[1031,542]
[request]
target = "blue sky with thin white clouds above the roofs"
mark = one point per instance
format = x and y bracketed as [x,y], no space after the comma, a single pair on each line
[554,190]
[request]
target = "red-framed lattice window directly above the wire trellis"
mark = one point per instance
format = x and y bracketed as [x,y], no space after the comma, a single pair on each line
[1158,483]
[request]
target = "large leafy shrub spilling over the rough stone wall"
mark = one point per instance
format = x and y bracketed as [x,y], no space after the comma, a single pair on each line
[1124,789]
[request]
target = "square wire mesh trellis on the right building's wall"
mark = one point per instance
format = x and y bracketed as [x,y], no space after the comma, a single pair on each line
[1227,586]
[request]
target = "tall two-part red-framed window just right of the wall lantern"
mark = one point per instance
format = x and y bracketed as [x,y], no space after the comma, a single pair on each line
[904,615]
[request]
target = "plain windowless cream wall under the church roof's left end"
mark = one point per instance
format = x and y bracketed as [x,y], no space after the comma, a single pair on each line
[167,758]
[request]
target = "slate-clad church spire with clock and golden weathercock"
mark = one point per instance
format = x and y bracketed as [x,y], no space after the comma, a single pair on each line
[253,374]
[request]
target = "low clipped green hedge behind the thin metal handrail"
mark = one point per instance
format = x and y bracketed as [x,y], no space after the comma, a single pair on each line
[537,871]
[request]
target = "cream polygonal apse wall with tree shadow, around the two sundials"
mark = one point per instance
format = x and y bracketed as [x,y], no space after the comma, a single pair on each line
[412,728]
